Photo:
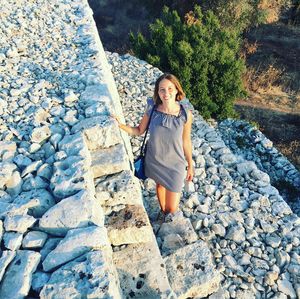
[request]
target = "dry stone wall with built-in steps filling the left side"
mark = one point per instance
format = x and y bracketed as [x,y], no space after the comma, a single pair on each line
[71,211]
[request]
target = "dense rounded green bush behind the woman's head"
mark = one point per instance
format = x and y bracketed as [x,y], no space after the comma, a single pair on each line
[202,54]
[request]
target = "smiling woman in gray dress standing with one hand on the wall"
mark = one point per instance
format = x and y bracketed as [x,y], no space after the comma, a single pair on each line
[169,148]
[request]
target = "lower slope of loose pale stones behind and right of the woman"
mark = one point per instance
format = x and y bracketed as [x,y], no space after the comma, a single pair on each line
[231,206]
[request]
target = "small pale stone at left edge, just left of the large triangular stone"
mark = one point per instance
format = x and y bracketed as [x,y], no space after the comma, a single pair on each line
[18,223]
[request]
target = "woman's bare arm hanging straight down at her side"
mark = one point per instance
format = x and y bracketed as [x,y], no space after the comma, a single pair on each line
[187,145]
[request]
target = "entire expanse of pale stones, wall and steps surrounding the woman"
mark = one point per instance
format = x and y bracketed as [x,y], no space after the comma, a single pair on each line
[75,221]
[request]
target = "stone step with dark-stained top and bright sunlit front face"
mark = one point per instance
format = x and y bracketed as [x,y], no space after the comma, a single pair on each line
[129,225]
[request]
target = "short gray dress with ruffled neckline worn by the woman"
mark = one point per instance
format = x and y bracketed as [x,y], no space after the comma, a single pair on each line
[164,161]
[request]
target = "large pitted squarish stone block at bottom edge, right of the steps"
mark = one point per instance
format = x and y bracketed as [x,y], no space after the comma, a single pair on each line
[191,271]
